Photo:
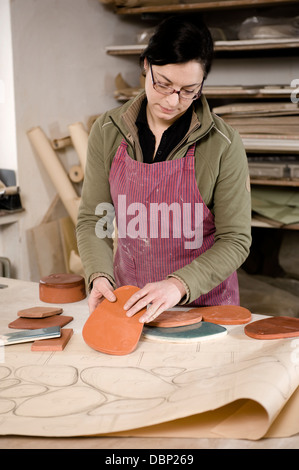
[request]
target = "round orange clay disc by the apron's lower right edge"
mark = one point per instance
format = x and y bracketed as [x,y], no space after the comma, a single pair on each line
[226,314]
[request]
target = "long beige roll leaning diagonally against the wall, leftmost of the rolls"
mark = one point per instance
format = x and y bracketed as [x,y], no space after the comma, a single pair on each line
[55,170]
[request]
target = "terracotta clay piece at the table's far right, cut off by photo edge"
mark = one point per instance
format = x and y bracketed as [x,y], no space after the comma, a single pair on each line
[273,328]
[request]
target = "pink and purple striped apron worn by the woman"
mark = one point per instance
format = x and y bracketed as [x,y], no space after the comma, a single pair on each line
[159,229]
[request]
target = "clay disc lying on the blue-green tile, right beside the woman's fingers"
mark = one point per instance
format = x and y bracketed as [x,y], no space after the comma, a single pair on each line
[173,318]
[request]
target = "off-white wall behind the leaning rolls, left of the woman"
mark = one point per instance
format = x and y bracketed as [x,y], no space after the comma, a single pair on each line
[62,75]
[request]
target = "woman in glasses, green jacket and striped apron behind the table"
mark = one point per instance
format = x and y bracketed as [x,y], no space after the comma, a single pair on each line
[176,177]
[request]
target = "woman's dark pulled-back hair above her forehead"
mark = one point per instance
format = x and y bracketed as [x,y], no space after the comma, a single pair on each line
[179,39]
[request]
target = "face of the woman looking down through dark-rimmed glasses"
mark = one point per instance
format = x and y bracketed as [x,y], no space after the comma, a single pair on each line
[168,108]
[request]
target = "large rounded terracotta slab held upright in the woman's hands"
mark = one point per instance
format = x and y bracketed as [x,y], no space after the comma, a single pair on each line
[109,330]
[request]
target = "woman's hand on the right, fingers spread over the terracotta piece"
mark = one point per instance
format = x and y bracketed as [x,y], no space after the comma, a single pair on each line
[161,295]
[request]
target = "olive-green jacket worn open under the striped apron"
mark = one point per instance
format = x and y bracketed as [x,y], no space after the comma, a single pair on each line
[222,177]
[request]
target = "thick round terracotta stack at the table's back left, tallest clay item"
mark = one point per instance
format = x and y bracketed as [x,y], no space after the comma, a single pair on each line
[62,288]
